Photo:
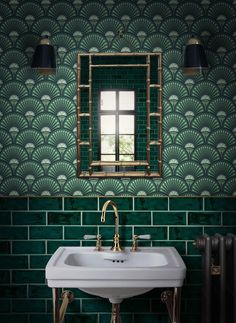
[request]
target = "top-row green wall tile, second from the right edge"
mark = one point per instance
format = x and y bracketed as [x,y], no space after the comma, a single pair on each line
[186,203]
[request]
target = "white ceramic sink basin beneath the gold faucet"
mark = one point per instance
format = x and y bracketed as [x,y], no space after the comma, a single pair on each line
[115,275]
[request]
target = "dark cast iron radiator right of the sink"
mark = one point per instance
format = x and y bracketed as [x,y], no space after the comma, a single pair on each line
[218,278]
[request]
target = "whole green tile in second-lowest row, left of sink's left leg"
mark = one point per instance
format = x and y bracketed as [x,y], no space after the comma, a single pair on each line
[28,306]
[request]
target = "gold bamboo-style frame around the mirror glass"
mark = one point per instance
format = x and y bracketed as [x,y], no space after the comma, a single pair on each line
[93,165]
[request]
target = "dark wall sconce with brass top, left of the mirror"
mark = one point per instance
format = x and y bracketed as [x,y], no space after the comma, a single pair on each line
[44,58]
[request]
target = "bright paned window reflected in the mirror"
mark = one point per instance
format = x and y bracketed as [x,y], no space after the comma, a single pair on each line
[117,127]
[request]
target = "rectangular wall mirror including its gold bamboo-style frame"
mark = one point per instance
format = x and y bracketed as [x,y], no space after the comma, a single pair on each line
[119,115]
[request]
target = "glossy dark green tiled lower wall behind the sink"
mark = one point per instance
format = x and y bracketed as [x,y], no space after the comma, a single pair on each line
[28,237]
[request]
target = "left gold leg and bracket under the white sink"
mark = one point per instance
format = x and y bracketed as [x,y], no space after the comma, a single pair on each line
[60,311]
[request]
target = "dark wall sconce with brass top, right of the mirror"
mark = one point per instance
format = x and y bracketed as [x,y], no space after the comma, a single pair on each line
[194,57]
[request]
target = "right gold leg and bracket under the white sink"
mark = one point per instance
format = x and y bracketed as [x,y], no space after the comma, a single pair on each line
[172,299]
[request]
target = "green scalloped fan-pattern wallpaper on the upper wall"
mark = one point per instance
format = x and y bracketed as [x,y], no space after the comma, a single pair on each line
[38,114]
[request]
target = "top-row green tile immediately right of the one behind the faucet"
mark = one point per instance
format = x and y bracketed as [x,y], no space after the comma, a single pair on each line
[150,203]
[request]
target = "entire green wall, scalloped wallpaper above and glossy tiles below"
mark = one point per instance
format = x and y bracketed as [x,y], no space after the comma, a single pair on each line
[38,147]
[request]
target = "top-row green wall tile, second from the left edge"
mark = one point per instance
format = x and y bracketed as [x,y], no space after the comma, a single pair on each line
[45,203]
